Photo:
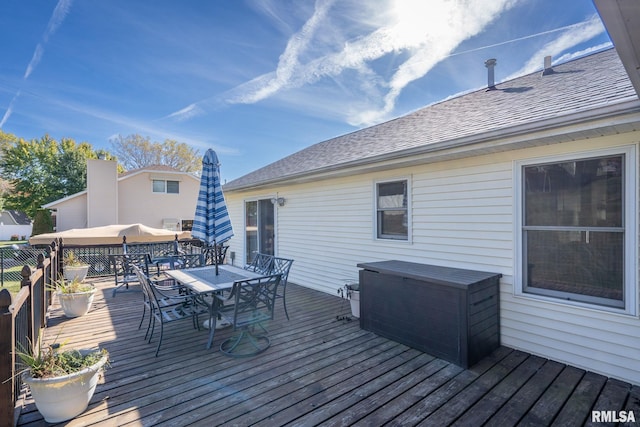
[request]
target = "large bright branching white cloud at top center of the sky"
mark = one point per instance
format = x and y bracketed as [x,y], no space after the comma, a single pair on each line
[422,32]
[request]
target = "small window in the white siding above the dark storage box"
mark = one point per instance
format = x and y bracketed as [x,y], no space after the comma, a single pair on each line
[392,210]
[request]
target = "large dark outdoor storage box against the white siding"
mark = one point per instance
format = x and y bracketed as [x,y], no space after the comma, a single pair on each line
[450,313]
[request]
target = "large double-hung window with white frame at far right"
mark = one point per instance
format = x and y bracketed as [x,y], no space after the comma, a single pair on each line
[576,236]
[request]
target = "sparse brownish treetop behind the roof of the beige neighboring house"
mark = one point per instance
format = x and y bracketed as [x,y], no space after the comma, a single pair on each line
[135,151]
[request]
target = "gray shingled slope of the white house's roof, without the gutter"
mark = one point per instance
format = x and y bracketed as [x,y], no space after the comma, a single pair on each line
[583,84]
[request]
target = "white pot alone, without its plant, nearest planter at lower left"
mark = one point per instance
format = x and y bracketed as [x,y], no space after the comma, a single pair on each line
[62,398]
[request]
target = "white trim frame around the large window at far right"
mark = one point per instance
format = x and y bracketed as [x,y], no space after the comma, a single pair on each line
[630,218]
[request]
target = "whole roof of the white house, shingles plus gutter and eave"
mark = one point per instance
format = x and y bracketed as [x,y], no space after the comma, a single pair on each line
[585,98]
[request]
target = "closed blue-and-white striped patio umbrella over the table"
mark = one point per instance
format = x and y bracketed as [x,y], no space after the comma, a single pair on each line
[211,223]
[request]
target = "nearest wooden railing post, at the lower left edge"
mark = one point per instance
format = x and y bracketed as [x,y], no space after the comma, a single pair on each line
[7,359]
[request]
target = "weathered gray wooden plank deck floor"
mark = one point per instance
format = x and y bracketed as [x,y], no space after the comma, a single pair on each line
[319,370]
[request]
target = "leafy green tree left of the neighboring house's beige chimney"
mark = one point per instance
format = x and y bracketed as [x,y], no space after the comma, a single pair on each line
[41,171]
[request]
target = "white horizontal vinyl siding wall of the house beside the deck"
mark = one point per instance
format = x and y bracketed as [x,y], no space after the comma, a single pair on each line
[462,215]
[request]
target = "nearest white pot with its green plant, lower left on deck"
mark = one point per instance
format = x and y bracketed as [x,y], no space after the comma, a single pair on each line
[62,382]
